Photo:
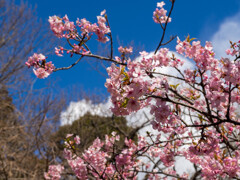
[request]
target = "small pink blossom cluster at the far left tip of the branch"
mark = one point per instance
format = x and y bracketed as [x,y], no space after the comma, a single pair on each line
[42,69]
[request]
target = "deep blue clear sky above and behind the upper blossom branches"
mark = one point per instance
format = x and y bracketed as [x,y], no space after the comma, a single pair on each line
[131,22]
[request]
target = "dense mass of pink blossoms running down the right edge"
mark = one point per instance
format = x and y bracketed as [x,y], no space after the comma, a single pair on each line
[218,82]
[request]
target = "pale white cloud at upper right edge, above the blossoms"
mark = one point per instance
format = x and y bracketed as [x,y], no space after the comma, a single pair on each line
[228,30]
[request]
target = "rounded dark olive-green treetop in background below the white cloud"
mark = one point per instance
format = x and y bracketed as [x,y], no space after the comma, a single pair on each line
[89,127]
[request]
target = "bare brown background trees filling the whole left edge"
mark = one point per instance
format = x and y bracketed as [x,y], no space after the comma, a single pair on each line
[22,117]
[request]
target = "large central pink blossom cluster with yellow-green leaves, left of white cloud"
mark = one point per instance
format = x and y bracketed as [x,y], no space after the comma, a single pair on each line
[130,87]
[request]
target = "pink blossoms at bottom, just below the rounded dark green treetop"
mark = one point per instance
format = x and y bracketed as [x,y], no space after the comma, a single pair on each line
[95,161]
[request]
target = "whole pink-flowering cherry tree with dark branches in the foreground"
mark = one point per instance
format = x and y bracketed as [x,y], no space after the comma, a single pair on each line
[194,110]
